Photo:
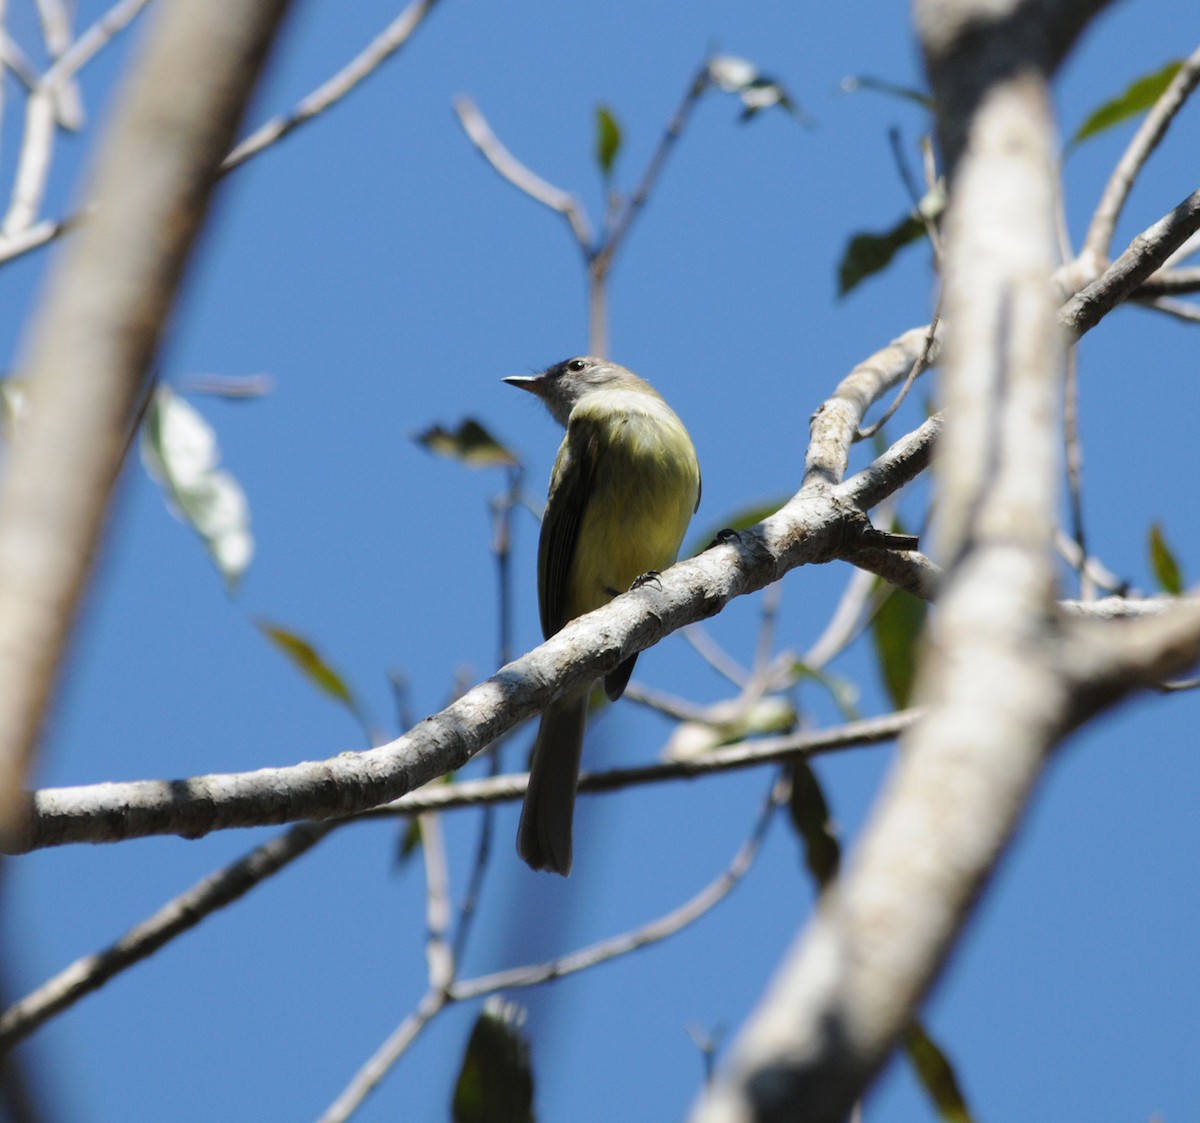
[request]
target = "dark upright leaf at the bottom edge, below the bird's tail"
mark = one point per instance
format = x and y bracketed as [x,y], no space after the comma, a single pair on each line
[496,1082]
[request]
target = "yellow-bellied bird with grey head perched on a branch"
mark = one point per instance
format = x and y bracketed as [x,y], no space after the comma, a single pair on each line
[625,488]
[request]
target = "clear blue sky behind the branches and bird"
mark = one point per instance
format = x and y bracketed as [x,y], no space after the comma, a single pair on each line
[387,280]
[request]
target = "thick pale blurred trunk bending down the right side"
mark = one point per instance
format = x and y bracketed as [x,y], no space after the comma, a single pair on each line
[853,984]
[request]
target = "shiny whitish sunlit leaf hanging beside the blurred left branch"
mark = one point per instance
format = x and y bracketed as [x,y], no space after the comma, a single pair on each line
[181,452]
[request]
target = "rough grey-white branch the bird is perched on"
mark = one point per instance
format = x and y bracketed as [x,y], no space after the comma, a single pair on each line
[813,527]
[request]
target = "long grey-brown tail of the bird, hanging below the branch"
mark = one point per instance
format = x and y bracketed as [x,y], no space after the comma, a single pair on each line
[544,838]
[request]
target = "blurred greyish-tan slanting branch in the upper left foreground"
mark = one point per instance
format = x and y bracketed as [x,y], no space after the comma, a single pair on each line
[97,338]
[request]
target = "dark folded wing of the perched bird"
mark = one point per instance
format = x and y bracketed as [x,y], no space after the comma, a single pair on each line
[571,488]
